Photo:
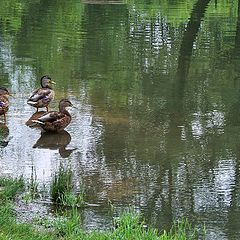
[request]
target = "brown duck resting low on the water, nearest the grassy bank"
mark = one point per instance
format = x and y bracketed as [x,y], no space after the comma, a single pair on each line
[55,121]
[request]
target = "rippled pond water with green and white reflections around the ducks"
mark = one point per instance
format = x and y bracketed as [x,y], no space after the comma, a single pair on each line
[156,90]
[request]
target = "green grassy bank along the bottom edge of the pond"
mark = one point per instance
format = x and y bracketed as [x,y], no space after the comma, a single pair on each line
[128,225]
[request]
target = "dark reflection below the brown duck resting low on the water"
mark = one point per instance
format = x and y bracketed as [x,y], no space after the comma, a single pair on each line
[54,141]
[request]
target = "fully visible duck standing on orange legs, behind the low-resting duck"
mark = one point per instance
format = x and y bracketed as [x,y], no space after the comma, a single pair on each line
[41,97]
